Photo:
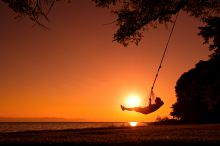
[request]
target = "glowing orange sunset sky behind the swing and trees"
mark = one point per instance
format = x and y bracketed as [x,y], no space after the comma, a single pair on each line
[74,70]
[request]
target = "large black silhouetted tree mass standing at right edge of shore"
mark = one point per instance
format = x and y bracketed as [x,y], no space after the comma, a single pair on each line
[197,91]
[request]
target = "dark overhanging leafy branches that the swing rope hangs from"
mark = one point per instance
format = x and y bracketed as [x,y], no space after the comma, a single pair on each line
[132,16]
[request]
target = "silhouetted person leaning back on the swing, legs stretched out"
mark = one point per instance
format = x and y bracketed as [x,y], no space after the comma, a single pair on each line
[148,109]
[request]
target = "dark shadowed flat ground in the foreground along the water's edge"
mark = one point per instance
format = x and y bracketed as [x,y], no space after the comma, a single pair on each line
[208,134]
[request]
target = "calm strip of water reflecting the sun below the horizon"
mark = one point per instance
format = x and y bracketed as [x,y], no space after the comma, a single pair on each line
[35,126]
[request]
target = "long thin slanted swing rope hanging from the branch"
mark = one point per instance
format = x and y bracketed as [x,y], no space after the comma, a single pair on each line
[164,53]
